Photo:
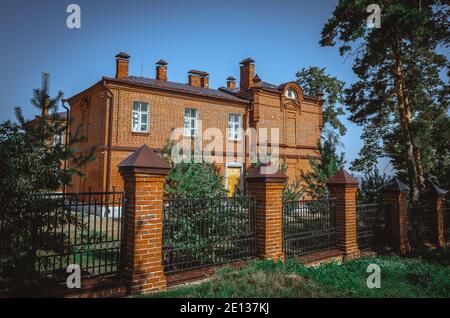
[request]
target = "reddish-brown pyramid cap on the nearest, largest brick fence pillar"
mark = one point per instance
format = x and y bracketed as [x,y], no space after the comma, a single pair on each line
[145,160]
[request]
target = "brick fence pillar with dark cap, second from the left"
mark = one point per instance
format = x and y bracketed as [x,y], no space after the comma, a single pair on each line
[268,192]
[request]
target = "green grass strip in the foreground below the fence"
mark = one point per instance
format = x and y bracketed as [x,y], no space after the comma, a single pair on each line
[421,275]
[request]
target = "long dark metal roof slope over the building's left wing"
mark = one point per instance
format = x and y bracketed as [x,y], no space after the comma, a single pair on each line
[177,87]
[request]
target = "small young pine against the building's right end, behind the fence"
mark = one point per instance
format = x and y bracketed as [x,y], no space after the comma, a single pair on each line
[322,169]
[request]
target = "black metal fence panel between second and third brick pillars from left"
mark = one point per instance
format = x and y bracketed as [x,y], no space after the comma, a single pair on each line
[308,226]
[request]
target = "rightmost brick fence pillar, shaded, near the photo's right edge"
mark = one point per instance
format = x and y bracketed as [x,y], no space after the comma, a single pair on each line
[435,198]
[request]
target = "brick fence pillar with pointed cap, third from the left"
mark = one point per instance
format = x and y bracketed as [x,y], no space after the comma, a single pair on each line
[343,188]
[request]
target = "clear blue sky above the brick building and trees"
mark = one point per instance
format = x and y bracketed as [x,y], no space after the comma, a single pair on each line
[281,36]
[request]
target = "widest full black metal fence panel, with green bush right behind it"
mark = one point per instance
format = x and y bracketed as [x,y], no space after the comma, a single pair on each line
[204,232]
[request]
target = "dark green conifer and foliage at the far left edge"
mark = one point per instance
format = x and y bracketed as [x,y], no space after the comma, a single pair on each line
[30,167]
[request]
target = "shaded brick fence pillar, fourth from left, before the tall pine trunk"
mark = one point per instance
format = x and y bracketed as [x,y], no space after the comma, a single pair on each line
[395,195]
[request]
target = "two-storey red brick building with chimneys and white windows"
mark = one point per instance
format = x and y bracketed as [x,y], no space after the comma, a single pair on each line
[120,114]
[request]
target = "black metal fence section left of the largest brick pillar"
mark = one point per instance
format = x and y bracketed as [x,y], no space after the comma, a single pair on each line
[55,230]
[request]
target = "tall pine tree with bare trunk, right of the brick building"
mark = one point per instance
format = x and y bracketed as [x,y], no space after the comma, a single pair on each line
[399,98]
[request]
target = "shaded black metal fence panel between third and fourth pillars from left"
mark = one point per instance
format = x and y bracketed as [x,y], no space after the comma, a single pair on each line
[371,224]
